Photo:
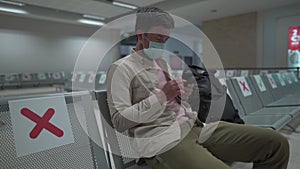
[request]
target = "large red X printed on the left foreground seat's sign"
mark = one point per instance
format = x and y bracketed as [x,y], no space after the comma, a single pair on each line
[41,123]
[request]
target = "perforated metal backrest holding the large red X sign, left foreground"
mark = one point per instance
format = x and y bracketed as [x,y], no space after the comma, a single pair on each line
[78,154]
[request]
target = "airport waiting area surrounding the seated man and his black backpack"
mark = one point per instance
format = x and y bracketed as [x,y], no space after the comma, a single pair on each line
[55,54]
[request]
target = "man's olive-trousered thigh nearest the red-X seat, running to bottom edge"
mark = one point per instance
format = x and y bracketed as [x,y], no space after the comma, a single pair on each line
[187,154]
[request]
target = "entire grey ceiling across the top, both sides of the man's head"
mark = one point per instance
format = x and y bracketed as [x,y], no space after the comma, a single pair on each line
[196,11]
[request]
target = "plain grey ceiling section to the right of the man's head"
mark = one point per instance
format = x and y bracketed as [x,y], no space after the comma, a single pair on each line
[202,11]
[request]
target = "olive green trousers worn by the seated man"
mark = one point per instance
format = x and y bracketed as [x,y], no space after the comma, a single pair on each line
[266,148]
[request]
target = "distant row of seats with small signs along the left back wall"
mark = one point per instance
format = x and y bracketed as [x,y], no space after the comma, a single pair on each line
[74,81]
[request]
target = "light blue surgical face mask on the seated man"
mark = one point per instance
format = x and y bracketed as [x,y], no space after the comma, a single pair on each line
[155,50]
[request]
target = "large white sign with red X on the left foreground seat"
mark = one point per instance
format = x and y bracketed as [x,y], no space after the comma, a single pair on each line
[40,124]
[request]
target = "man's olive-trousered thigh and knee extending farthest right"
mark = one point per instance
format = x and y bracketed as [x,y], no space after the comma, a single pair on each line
[234,142]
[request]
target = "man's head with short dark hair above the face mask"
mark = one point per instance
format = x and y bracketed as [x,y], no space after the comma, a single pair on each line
[153,25]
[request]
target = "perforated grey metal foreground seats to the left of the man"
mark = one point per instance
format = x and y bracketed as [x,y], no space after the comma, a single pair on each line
[91,128]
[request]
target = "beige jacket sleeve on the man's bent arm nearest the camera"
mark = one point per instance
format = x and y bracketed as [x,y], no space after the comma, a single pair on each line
[126,115]
